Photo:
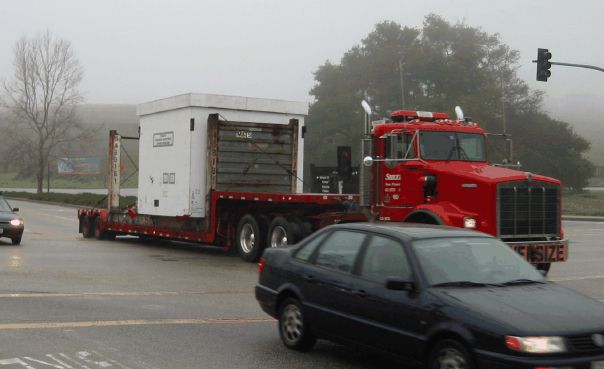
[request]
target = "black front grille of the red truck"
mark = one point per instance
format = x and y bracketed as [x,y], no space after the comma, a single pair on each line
[528,210]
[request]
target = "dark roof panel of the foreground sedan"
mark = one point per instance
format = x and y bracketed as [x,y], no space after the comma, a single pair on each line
[411,231]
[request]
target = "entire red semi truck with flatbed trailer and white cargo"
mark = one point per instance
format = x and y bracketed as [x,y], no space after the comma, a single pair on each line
[226,171]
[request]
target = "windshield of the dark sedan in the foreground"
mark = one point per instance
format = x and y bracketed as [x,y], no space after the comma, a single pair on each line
[468,261]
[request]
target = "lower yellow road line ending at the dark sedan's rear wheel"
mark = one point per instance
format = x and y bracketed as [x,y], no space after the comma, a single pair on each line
[120,323]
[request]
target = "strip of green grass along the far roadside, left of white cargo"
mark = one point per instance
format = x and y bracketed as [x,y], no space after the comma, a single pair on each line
[81,199]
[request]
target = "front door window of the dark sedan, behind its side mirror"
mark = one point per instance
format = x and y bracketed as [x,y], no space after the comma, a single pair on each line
[384,257]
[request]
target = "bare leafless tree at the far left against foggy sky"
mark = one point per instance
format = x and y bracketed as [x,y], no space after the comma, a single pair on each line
[42,97]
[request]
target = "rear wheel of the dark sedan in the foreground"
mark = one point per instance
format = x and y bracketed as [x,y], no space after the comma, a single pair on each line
[293,328]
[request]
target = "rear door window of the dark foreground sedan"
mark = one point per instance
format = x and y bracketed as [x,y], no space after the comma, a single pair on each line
[340,250]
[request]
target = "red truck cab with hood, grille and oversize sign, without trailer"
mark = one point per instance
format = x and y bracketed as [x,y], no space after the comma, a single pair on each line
[432,169]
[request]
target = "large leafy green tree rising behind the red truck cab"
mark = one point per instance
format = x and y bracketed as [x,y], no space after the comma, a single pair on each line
[443,65]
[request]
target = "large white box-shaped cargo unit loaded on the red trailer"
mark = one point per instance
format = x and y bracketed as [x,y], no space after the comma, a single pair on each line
[193,143]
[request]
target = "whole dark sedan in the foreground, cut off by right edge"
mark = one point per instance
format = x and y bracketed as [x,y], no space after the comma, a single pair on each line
[442,297]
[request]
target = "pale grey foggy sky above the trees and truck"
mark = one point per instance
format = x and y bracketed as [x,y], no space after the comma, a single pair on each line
[136,51]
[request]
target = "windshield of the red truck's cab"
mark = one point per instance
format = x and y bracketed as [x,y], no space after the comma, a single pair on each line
[444,145]
